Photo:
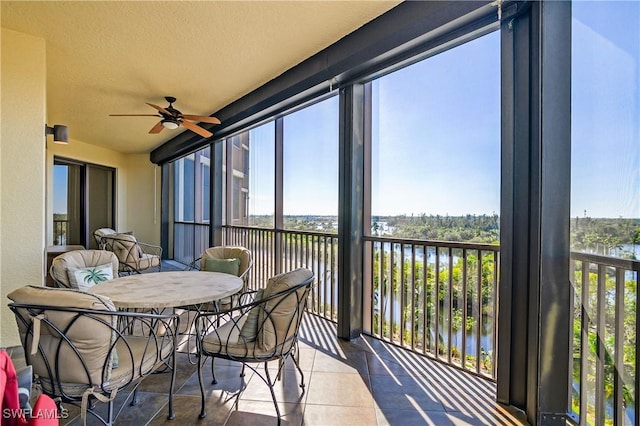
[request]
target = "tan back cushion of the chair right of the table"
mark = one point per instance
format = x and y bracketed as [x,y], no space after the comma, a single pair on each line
[280,324]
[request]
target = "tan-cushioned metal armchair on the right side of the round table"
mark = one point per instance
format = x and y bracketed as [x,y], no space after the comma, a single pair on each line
[263,328]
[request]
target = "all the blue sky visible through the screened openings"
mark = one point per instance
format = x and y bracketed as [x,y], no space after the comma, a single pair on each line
[436,131]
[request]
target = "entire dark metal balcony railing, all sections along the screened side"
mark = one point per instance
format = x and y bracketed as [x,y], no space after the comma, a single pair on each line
[440,299]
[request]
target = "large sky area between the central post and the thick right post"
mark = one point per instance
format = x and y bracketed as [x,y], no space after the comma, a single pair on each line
[436,134]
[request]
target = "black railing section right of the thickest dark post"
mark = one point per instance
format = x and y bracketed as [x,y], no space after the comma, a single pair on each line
[605,347]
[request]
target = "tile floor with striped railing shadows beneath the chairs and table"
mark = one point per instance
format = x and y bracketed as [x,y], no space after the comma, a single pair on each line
[361,382]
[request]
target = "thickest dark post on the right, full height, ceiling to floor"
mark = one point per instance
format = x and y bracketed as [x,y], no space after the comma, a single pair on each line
[535,294]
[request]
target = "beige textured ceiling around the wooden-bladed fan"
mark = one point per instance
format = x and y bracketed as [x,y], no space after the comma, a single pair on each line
[110,57]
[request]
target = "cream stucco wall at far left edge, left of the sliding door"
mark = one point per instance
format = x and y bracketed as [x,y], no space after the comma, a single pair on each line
[22,170]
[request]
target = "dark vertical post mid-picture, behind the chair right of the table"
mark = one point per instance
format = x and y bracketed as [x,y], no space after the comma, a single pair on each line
[350,211]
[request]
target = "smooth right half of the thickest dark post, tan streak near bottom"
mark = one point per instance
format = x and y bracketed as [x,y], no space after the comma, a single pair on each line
[554,122]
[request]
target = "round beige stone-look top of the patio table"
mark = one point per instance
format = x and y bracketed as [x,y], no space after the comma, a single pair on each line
[168,289]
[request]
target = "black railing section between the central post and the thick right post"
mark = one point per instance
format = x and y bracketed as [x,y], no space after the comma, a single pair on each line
[436,298]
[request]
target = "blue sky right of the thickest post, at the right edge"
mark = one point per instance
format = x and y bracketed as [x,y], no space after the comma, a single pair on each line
[605,170]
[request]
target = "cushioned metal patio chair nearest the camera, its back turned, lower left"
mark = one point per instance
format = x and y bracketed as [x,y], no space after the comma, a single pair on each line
[79,353]
